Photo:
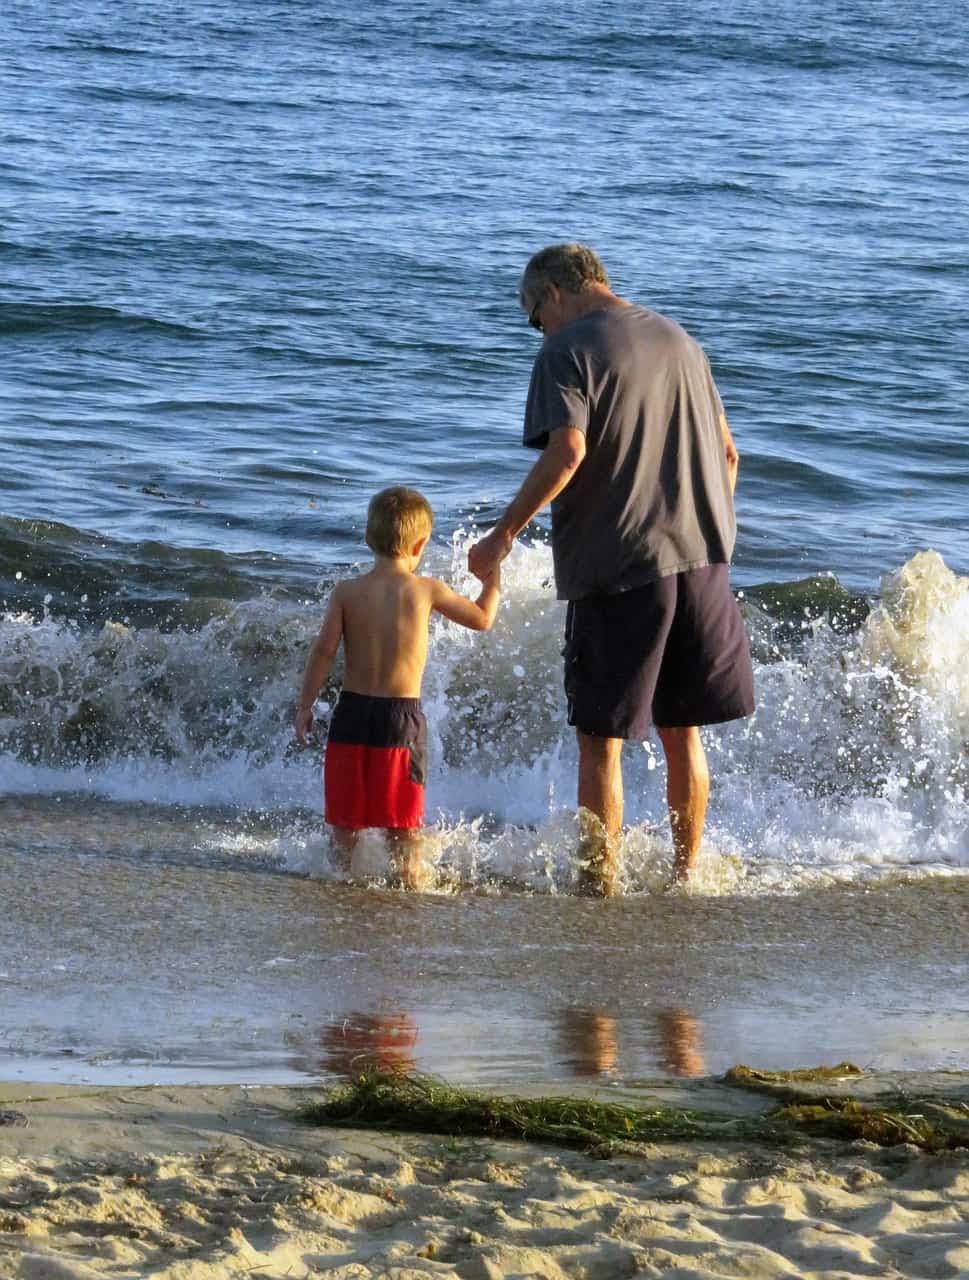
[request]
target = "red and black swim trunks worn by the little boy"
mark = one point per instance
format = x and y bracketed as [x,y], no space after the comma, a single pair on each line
[377,764]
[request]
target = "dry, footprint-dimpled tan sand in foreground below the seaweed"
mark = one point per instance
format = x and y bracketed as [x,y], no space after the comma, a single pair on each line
[199,1183]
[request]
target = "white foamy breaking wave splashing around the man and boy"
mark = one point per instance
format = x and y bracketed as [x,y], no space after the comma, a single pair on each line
[853,769]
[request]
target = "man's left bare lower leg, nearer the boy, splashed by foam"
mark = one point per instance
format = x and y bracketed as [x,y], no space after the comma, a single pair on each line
[601,794]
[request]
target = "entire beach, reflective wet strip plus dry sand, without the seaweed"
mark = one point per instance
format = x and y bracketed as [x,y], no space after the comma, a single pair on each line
[180,967]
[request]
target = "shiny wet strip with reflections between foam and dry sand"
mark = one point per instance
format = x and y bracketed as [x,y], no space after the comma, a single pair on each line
[168,967]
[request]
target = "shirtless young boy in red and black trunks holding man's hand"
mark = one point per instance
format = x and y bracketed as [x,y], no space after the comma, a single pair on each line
[378,739]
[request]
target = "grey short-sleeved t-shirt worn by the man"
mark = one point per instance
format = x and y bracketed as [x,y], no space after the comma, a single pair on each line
[652,496]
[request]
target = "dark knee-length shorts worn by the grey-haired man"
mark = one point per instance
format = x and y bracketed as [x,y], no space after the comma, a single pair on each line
[671,653]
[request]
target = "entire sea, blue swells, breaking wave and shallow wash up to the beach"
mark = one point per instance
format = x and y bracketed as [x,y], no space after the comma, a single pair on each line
[262,260]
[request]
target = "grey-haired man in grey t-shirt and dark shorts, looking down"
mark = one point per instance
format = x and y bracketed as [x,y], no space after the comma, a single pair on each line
[639,467]
